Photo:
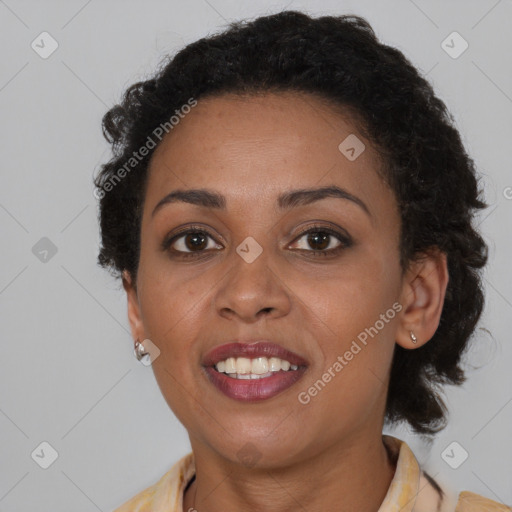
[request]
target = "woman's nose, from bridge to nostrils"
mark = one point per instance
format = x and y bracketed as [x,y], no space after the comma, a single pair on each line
[250,291]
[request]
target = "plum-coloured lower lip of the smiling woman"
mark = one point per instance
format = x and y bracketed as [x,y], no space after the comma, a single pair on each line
[252,390]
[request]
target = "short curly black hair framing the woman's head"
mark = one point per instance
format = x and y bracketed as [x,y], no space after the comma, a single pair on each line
[338,59]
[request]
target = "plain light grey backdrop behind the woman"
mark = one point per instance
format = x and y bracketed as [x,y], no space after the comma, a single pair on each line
[67,372]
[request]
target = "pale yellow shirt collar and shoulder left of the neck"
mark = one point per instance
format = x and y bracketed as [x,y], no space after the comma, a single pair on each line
[167,491]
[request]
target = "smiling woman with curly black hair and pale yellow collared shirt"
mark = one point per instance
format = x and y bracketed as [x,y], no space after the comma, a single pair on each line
[289,207]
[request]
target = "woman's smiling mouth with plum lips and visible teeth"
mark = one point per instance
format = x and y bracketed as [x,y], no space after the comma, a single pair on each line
[253,371]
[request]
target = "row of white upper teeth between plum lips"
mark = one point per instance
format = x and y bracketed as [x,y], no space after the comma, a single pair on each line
[259,367]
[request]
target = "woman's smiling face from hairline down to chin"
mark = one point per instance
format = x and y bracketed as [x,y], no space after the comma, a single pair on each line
[252,274]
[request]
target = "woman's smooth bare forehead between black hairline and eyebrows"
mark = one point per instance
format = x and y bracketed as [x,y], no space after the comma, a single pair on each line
[255,147]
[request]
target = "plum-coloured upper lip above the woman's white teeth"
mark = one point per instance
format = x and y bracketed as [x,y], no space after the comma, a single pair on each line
[251,349]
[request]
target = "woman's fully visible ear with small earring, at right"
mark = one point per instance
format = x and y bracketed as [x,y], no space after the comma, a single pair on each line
[422,298]
